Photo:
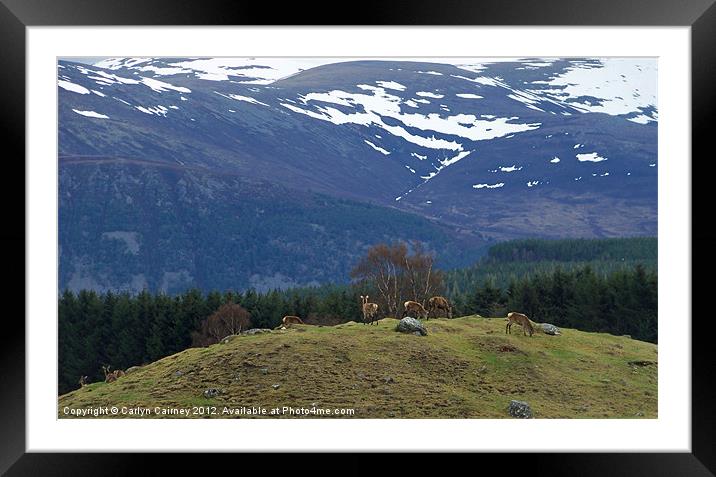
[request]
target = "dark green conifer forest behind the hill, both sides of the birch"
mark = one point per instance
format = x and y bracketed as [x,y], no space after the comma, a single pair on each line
[600,292]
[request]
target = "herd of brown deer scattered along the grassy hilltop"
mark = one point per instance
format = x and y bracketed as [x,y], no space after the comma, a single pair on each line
[436,305]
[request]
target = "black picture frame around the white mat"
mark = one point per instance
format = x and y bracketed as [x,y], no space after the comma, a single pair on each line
[700,15]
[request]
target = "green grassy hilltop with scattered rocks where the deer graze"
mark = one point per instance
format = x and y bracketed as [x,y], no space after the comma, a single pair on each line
[465,368]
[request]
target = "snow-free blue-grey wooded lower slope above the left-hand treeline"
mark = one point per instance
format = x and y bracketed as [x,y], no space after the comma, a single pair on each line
[167,227]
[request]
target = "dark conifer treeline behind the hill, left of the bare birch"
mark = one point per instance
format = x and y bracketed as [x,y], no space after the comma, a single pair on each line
[125,330]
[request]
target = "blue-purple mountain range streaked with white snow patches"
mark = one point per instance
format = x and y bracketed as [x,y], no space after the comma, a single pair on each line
[491,148]
